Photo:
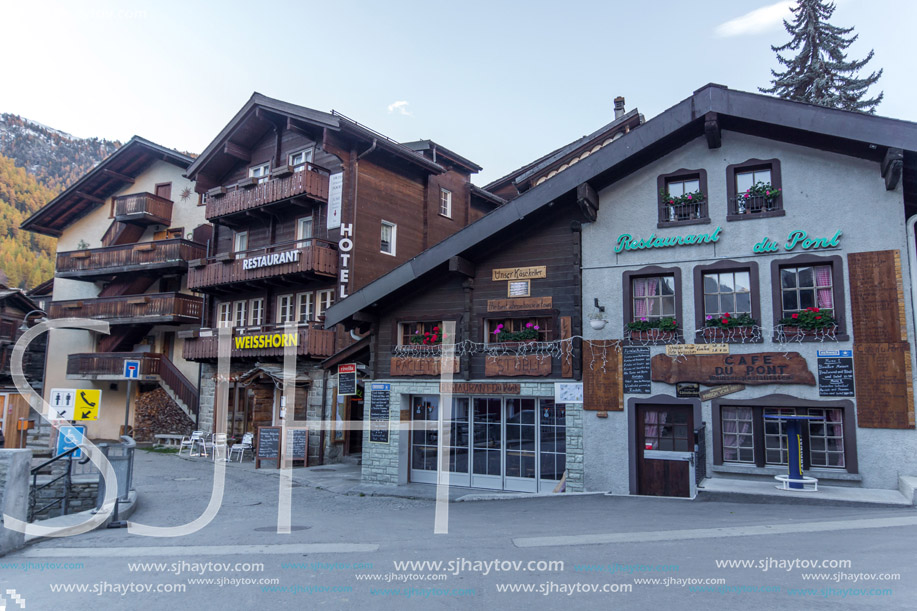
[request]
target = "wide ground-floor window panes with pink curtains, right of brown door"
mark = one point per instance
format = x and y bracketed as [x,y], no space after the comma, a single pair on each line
[743,435]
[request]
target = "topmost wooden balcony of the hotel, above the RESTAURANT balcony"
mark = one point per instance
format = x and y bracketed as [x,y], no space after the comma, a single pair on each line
[311,182]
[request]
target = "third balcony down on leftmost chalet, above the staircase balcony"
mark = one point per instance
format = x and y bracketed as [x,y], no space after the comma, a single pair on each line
[150,309]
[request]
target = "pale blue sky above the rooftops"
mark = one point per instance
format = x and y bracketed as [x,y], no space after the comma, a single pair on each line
[498,82]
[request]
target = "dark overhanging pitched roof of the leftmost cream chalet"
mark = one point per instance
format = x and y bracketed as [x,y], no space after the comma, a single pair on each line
[100,183]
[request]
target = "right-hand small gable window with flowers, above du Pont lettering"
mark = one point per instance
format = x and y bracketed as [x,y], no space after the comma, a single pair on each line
[753,189]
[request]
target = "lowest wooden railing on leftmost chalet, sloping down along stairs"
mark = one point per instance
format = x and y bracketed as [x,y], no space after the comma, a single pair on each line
[110,365]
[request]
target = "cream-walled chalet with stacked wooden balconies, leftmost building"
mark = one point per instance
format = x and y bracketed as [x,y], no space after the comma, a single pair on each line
[125,233]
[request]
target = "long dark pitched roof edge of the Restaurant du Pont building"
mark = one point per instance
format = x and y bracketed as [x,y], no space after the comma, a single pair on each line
[850,133]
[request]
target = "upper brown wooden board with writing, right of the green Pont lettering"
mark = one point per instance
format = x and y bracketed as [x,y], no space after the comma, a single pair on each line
[875,297]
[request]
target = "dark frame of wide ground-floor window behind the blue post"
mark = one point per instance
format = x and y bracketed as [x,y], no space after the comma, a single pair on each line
[758,405]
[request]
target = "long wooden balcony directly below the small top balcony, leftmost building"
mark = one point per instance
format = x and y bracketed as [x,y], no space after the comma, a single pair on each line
[159,255]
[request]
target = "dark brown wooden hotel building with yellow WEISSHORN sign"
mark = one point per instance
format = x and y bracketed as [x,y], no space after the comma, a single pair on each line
[307,208]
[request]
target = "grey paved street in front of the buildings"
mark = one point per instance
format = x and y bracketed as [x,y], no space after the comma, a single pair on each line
[604,542]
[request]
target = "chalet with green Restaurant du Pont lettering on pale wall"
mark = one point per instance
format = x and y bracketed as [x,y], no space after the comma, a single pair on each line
[745,260]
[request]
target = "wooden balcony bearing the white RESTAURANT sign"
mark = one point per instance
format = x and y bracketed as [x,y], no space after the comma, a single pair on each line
[309,258]
